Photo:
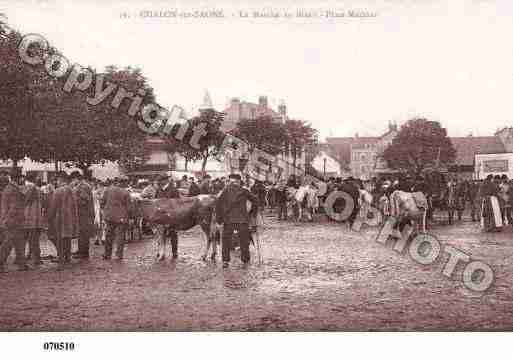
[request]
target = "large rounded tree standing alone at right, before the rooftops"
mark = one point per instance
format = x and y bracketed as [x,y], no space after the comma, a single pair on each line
[420,144]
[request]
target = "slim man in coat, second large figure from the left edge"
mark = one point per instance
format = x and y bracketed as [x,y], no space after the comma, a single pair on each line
[34,221]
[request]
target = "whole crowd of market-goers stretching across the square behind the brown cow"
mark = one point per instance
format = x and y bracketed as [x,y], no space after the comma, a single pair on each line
[73,206]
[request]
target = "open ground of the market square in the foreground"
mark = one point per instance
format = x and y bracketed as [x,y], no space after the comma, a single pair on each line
[318,276]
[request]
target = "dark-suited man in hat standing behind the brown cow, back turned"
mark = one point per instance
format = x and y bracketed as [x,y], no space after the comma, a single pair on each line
[231,211]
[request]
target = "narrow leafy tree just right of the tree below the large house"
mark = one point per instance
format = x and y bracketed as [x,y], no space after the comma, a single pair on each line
[300,137]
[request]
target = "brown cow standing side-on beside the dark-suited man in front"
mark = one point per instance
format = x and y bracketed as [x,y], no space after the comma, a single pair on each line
[171,215]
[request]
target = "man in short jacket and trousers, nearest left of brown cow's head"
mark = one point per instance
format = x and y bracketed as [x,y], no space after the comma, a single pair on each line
[116,206]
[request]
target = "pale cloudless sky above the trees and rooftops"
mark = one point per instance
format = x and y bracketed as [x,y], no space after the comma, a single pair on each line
[450,61]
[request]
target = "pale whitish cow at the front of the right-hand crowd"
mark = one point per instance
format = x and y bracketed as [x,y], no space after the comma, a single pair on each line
[409,207]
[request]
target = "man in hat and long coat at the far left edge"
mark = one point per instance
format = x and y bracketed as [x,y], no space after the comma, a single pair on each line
[12,222]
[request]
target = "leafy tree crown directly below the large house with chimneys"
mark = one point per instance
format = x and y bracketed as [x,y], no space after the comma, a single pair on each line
[263,133]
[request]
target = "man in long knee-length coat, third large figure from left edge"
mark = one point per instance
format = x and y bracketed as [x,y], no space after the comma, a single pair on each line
[63,217]
